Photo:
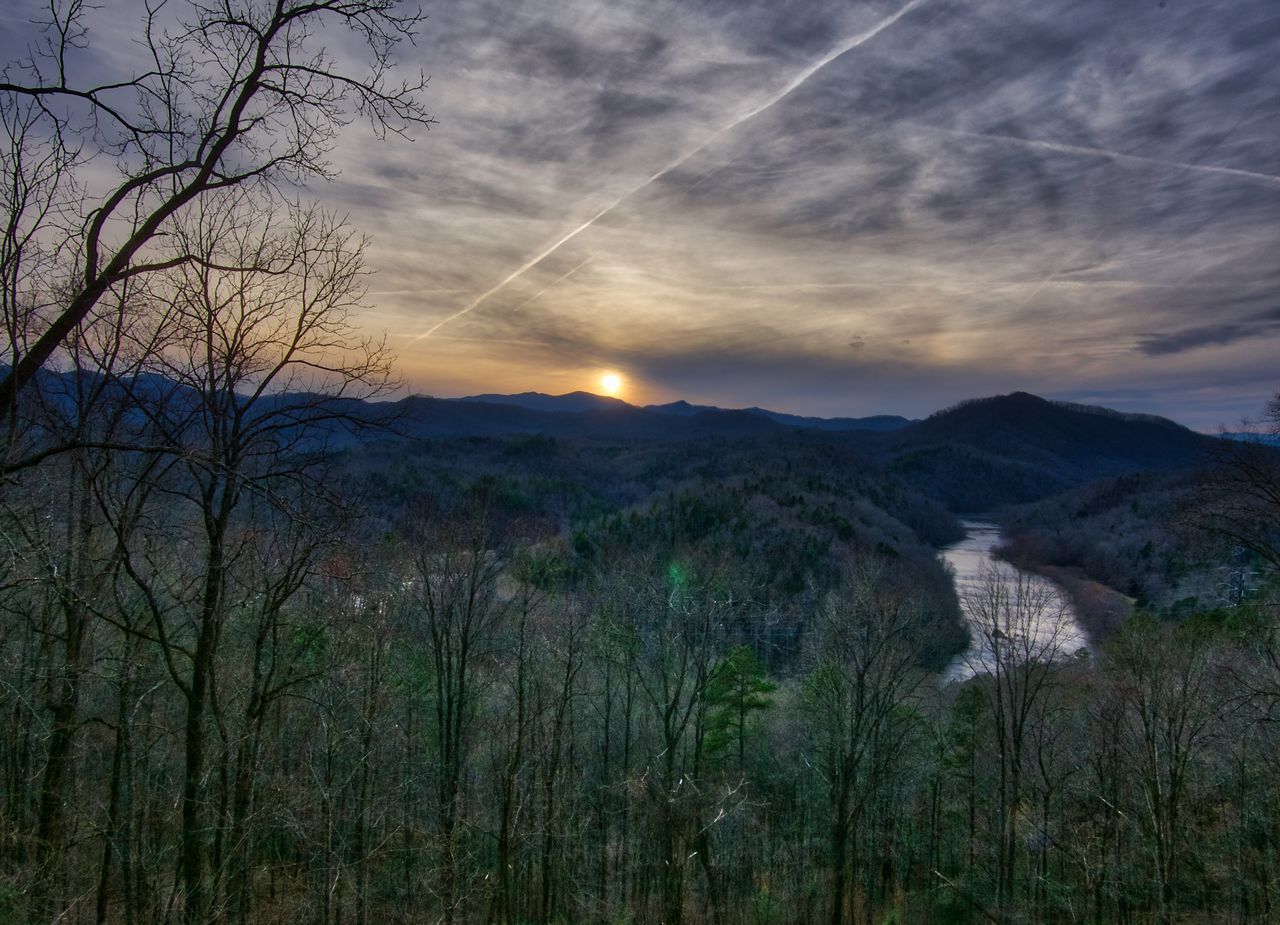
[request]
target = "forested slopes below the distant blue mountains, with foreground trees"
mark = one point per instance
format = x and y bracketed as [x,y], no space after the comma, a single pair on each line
[533,679]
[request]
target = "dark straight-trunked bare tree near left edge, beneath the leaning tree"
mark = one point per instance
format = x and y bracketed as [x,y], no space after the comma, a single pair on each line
[67,551]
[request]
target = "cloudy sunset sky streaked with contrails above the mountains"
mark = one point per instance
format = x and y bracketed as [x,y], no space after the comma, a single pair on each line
[856,208]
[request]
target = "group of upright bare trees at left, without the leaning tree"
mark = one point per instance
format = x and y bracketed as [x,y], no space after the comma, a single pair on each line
[198,523]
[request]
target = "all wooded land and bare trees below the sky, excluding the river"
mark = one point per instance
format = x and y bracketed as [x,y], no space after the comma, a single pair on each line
[269,657]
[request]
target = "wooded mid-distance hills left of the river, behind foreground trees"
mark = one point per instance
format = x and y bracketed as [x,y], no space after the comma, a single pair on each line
[783,515]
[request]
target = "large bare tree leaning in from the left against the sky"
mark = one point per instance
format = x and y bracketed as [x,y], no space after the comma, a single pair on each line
[231,94]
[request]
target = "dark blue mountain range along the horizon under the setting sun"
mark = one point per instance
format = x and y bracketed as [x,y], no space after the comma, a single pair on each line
[976,456]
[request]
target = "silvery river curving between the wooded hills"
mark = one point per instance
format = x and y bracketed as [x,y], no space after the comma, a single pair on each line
[1044,621]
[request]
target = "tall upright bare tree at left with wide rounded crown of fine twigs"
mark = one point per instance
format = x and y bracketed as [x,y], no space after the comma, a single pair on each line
[255,361]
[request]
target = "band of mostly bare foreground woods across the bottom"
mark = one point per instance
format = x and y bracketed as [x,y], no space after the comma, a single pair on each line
[447,721]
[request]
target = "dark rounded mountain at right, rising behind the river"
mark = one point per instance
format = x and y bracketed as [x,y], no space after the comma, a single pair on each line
[1008,450]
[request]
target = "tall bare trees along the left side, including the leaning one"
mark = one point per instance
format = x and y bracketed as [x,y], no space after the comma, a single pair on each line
[176,345]
